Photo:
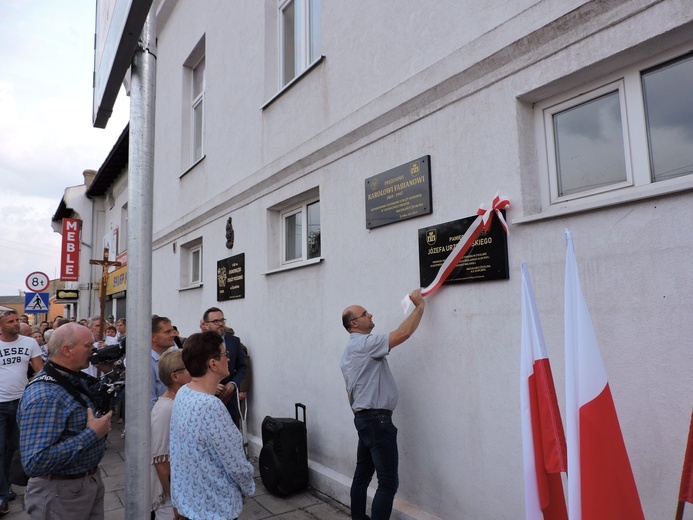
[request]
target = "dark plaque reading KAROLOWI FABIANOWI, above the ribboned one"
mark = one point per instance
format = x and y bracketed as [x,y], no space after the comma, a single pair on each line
[398,194]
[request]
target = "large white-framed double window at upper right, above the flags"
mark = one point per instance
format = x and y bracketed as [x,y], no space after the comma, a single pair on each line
[624,137]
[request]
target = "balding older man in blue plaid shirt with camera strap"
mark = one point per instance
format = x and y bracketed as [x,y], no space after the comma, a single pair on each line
[62,439]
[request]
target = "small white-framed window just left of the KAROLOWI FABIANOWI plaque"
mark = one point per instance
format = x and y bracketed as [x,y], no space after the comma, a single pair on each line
[301,233]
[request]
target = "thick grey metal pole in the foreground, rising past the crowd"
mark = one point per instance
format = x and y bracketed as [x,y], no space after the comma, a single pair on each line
[139,301]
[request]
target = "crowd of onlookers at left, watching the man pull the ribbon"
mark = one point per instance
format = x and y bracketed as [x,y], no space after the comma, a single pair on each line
[50,416]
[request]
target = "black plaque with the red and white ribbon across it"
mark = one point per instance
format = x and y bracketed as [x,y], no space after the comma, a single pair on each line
[486,260]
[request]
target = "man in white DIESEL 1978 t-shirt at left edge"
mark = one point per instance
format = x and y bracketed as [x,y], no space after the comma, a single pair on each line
[16,353]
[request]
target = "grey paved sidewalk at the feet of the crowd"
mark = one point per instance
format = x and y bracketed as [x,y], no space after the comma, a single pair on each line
[307,505]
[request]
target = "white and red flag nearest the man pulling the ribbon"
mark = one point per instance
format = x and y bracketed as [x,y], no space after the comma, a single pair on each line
[543,438]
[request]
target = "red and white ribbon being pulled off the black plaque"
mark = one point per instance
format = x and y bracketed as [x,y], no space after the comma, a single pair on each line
[481,223]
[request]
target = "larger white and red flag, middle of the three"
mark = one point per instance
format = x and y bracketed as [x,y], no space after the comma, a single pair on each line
[601,485]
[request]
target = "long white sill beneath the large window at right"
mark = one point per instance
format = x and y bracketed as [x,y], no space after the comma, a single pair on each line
[632,194]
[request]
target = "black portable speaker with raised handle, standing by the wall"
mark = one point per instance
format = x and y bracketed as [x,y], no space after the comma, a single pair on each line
[284,454]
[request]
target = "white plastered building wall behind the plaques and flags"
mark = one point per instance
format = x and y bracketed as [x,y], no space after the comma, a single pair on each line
[463,92]
